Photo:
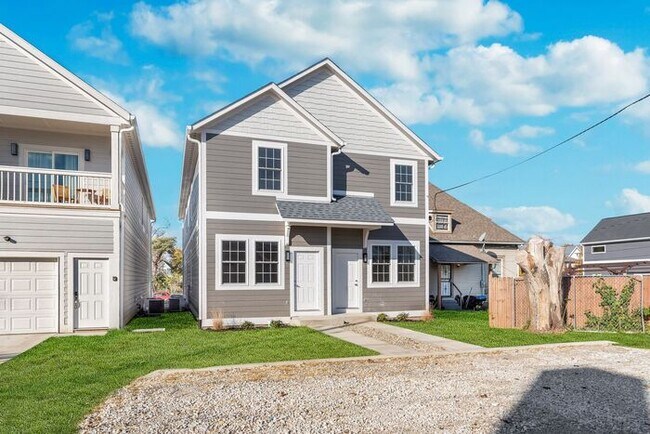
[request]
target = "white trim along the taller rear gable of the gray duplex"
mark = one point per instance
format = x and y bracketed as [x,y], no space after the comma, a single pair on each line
[370,100]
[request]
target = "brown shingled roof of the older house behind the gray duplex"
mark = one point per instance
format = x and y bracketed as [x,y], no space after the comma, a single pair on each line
[467,223]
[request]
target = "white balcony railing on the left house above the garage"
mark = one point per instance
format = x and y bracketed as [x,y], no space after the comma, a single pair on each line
[54,187]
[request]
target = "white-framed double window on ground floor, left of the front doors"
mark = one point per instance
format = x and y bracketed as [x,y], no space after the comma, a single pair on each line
[249,262]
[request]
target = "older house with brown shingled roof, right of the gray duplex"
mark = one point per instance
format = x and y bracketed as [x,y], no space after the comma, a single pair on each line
[465,246]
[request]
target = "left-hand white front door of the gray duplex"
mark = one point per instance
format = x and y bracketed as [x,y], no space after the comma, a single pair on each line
[307,279]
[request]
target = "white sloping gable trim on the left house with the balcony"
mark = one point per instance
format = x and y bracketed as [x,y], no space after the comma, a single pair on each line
[66,75]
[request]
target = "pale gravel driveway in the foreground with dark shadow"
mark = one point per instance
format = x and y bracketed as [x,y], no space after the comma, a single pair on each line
[589,389]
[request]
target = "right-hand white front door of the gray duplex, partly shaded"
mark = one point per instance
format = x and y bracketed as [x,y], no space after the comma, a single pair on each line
[346,281]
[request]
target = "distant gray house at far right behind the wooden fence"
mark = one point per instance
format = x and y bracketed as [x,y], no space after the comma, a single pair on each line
[618,245]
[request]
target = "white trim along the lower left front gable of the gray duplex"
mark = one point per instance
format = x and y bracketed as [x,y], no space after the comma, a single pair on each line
[302,114]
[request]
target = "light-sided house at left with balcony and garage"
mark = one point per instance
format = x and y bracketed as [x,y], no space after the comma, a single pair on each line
[75,204]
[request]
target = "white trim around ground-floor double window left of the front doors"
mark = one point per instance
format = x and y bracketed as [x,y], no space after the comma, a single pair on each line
[250,263]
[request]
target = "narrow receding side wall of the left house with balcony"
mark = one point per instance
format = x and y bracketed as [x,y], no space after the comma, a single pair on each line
[137,241]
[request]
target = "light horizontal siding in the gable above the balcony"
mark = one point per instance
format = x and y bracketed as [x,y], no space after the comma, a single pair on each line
[27,83]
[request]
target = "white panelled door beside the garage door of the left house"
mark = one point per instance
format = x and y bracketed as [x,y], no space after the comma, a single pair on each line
[91,292]
